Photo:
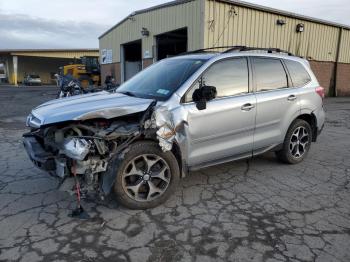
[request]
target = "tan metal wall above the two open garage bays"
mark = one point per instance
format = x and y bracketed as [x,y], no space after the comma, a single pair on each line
[188,14]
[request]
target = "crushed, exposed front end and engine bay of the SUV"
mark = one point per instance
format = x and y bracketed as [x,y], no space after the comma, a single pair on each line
[86,149]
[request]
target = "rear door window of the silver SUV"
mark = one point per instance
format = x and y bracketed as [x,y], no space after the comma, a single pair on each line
[269,74]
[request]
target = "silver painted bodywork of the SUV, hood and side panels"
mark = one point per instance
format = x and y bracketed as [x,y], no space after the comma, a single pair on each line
[220,131]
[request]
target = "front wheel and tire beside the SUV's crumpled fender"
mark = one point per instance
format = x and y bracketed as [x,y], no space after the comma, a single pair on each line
[134,187]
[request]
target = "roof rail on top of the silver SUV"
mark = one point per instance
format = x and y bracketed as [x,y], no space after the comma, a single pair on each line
[238,48]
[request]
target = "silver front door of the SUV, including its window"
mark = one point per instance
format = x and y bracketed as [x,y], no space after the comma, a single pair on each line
[225,128]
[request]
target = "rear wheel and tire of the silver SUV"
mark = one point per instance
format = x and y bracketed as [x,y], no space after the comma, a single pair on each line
[297,142]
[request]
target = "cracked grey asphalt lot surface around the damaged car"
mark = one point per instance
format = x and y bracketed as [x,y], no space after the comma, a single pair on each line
[252,210]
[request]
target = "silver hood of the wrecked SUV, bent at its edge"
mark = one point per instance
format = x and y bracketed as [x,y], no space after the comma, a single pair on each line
[96,105]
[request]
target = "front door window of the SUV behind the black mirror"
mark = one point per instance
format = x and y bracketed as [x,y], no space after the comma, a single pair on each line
[230,77]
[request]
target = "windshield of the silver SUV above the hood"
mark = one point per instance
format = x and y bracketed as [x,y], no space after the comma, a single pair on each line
[162,79]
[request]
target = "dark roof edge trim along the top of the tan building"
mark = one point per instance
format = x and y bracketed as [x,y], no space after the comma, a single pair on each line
[237,3]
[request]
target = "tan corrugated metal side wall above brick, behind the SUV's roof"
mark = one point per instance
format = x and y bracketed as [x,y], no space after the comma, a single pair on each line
[229,24]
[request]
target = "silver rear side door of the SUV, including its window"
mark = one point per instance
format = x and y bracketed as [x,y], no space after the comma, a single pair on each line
[277,102]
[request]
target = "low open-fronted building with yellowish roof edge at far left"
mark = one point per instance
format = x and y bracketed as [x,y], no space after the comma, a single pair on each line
[15,64]
